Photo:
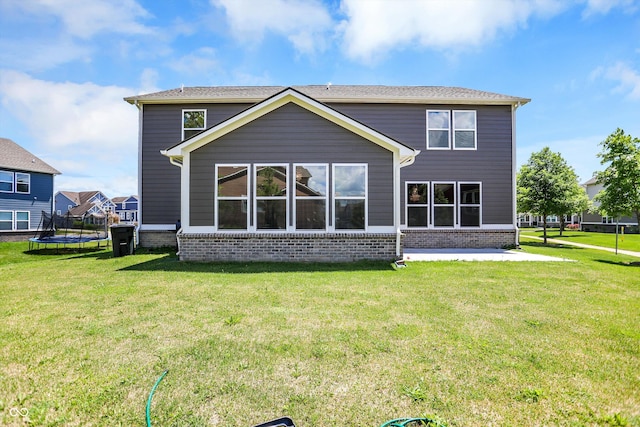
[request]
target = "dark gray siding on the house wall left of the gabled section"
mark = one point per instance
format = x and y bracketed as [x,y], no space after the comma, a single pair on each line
[159,180]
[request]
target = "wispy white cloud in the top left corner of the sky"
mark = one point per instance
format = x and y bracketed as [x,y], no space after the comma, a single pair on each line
[84,19]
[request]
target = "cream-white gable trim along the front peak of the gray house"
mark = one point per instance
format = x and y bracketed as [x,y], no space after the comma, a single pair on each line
[290,95]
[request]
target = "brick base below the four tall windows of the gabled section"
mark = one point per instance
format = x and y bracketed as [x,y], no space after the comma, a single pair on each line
[321,247]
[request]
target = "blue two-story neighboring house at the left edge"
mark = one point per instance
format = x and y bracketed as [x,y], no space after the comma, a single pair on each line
[26,190]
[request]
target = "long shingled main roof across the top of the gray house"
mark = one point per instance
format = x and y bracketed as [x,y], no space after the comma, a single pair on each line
[331,93]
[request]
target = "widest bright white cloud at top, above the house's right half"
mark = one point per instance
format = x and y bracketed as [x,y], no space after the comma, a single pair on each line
[374,27]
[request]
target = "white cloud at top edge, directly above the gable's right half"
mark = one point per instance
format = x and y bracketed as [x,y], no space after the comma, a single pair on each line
[303,22]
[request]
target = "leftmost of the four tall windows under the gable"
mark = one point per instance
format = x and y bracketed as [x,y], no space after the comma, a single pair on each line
[231,197]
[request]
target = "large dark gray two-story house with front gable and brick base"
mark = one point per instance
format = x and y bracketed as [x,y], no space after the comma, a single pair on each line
[325,173]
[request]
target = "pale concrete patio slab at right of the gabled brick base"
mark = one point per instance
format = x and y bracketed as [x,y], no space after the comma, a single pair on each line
[474,255]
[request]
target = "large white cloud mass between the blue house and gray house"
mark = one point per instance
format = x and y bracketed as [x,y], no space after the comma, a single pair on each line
[86,131]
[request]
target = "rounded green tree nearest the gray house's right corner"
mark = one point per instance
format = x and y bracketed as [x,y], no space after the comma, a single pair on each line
[546,185]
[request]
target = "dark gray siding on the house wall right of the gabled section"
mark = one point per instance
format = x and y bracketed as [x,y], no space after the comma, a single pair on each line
[490,164]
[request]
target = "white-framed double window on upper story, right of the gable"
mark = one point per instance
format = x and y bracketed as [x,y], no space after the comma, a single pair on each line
[440,123]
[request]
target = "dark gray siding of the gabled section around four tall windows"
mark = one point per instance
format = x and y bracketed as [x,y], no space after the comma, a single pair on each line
[291,135]
